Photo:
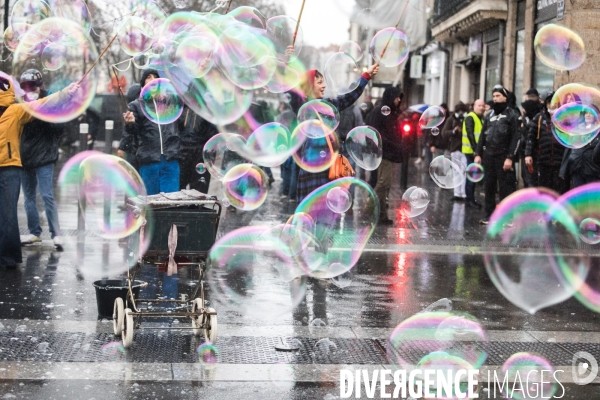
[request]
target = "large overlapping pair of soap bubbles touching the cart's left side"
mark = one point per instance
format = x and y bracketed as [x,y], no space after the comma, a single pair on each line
[101,182]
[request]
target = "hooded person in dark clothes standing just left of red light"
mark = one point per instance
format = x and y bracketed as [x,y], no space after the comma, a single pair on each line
[387,125]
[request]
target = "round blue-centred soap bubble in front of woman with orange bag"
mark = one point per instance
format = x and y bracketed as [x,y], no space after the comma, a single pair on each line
[316,154]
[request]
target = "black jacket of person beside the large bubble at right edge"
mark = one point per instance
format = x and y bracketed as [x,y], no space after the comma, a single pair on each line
[545,149]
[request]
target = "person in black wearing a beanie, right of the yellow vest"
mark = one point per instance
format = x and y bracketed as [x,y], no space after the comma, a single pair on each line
[498,148]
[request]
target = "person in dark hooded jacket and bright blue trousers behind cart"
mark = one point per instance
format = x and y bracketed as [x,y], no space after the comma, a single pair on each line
[158,146]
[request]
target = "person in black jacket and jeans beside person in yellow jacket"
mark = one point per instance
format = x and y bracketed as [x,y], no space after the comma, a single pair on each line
[39,152]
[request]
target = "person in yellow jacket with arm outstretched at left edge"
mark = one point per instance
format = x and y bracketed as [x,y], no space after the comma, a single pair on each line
[13,117]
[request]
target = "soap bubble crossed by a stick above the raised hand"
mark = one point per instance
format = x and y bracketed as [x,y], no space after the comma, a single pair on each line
[395,44]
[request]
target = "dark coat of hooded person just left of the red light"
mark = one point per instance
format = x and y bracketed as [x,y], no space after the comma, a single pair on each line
[388,126]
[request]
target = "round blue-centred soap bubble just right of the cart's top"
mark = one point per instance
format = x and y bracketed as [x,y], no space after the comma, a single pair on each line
[246,186]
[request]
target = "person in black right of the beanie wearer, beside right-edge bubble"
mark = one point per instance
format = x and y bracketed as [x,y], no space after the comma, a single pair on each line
[543,151]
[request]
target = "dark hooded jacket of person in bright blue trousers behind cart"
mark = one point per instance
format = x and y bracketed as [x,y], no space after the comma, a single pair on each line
[149,135]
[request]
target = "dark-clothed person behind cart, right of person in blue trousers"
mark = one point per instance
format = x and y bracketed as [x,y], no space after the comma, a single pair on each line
[194,132]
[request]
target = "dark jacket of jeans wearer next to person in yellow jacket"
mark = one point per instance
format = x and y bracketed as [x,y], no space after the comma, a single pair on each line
[39,142]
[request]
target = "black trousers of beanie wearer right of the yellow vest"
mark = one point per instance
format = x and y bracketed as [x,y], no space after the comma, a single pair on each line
[496,177]
